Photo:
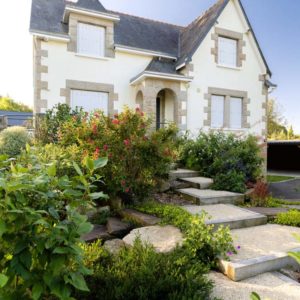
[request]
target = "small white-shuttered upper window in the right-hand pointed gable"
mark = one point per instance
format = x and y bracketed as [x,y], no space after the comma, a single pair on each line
[227,51]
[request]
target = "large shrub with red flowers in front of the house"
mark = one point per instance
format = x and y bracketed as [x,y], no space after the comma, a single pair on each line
[137,156]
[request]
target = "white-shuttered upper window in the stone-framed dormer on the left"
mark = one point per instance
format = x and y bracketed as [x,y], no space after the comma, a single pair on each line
[90,40]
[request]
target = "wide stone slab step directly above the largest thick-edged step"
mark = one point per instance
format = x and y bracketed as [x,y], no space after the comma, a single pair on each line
[228,215]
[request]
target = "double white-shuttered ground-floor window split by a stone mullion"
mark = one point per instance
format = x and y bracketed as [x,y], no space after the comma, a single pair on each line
[226,114]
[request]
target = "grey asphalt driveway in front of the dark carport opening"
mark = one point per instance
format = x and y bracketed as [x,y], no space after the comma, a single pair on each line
[287,190]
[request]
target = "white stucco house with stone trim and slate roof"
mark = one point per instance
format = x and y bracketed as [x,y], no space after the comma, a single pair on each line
[209,74]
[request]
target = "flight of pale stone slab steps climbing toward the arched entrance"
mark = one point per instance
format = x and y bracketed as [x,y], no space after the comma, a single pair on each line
[261,247]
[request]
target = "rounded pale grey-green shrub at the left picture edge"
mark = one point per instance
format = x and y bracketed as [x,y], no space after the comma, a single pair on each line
[13,140]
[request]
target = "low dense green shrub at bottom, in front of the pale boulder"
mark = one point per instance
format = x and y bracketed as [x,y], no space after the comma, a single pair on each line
[140,273]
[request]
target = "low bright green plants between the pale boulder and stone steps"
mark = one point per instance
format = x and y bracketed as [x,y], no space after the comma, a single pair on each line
[202,241]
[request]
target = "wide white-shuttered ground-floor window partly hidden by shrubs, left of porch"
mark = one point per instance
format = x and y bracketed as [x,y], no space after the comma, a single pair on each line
[89,101]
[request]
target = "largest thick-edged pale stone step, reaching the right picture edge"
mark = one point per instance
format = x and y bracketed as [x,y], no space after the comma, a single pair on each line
[263,249]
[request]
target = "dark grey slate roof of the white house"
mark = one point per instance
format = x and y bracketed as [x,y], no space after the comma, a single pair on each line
[136,32]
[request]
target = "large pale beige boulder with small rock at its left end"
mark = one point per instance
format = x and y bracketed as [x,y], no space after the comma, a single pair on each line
[163,238]
